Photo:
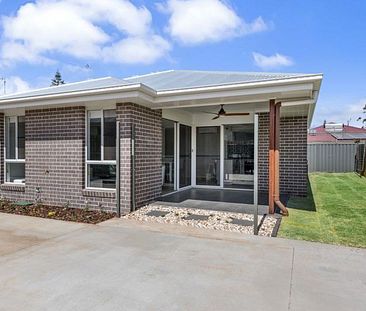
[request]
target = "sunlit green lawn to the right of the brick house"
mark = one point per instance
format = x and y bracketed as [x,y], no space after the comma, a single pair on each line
[334,211]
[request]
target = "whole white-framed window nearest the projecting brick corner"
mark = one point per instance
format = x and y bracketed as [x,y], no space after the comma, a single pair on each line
[101,149]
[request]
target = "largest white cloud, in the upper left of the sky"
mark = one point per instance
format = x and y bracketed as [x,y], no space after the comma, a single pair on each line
[77,28]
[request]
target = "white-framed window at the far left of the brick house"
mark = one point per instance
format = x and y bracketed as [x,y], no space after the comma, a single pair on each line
[15,149]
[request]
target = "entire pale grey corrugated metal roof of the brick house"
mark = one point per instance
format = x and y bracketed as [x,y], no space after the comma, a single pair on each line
[165,80]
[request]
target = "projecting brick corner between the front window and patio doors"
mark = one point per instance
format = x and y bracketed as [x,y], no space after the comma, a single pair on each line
[148,144]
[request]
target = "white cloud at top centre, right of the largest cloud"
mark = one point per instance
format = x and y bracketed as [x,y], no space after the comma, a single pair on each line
[197,21]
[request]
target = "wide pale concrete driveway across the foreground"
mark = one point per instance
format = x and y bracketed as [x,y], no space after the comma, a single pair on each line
[121,265]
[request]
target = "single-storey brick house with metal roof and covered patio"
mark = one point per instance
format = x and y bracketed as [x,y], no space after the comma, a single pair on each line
[177,129]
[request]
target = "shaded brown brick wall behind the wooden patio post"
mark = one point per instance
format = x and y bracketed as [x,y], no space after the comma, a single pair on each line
[293,154]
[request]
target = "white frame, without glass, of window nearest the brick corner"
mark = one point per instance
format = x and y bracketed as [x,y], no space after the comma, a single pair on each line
[87,139]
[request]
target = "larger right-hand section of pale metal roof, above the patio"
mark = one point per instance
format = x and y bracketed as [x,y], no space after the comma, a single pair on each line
[180,79]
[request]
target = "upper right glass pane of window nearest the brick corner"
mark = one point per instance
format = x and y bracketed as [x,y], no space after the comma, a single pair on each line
[109,135]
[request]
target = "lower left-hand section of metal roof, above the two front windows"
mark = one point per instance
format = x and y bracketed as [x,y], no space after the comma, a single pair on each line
[70,87]
